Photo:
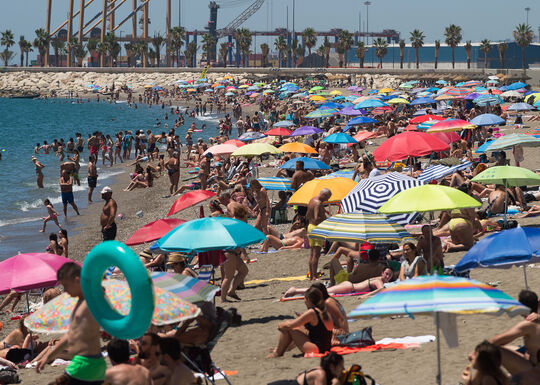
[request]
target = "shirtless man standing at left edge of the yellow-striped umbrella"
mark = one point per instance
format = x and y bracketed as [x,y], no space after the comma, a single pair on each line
[315,215]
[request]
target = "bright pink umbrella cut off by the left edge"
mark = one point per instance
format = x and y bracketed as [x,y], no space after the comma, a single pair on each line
[29,271]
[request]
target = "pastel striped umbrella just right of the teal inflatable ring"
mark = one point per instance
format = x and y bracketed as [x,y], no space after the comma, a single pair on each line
[186,288]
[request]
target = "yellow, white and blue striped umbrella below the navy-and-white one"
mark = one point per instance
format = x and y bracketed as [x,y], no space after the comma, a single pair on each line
[360,227]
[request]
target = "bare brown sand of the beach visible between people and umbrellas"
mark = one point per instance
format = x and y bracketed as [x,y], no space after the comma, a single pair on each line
[244,348]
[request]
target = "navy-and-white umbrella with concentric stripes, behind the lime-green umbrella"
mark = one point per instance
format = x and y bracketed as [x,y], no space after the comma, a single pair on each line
[371,193]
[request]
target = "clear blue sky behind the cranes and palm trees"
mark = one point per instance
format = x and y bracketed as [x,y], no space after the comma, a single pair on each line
[479,19]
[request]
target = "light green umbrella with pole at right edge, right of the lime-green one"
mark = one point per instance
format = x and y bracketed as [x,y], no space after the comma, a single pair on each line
[508,176]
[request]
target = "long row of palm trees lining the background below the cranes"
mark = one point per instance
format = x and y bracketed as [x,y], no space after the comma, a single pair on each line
[110,48]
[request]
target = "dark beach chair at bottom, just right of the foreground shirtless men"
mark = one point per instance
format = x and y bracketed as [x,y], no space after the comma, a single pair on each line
[198,358]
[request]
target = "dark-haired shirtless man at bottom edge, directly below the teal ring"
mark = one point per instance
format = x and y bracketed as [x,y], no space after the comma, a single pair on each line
[122,372]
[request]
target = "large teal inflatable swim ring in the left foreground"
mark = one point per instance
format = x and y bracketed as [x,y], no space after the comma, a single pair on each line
[114,253]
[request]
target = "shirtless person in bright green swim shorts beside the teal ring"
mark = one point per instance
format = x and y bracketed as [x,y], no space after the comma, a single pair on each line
[83,338]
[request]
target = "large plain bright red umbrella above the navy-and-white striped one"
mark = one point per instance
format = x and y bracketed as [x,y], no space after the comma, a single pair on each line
[408,144]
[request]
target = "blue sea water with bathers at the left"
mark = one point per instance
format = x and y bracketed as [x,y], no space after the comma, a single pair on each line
[23,123]
